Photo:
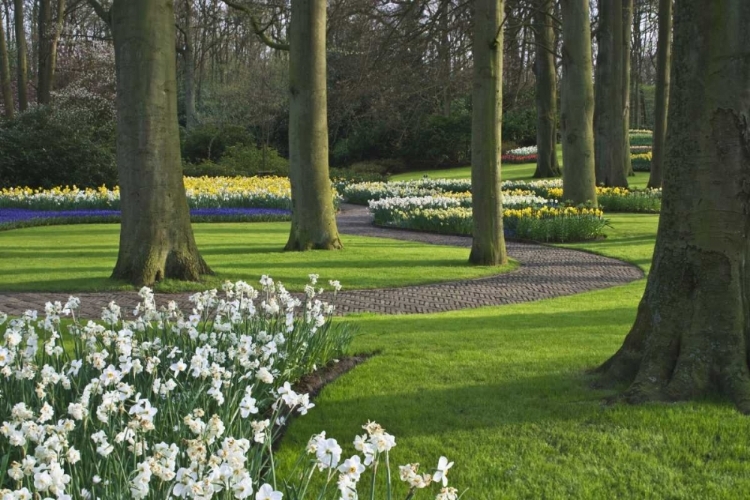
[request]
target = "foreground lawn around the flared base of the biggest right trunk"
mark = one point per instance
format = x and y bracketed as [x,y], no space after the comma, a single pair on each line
[503,392]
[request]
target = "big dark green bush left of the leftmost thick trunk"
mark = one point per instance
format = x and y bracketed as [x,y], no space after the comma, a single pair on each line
[47,146]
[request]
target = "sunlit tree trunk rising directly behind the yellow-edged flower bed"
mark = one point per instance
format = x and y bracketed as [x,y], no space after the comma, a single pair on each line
[577,103]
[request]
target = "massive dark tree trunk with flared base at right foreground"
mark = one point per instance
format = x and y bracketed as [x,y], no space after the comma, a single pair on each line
[692,332]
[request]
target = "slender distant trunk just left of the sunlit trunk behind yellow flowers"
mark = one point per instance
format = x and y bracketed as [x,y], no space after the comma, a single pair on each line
[546,91]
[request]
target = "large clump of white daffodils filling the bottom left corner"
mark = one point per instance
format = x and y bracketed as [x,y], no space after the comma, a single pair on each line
[147,408]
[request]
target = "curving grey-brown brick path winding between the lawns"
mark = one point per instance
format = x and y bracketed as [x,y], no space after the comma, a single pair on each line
[545,272]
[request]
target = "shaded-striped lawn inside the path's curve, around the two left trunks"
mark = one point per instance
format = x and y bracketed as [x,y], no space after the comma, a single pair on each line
[81,258]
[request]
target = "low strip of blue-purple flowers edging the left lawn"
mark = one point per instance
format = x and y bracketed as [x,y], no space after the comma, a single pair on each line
[11,218]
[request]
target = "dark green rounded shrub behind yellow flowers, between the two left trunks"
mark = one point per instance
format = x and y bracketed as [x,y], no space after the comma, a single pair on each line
[210,142]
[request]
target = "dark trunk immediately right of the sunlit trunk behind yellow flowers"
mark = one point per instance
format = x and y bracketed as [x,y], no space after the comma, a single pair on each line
[609,111]
